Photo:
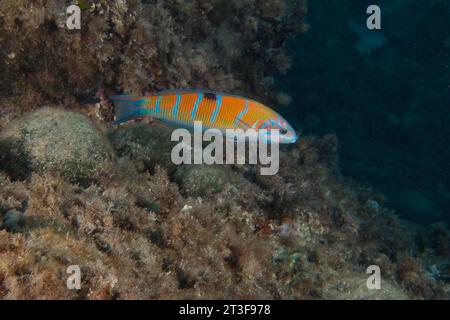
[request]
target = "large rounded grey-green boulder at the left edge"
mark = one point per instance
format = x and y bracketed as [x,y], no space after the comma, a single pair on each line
[56,140]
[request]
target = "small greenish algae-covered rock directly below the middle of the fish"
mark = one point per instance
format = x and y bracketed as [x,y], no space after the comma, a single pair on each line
[203,180]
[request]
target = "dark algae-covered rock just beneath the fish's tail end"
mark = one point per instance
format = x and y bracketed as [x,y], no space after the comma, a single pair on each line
[149,145]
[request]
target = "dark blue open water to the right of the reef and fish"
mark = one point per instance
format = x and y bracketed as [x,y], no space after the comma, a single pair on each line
[388,103]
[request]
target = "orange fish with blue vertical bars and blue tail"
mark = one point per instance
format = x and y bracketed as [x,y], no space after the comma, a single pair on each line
[183,107]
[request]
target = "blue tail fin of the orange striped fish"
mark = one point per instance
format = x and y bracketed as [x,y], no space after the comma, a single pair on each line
[127,107]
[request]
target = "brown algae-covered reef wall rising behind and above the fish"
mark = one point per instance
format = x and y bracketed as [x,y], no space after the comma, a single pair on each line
[137,46]
